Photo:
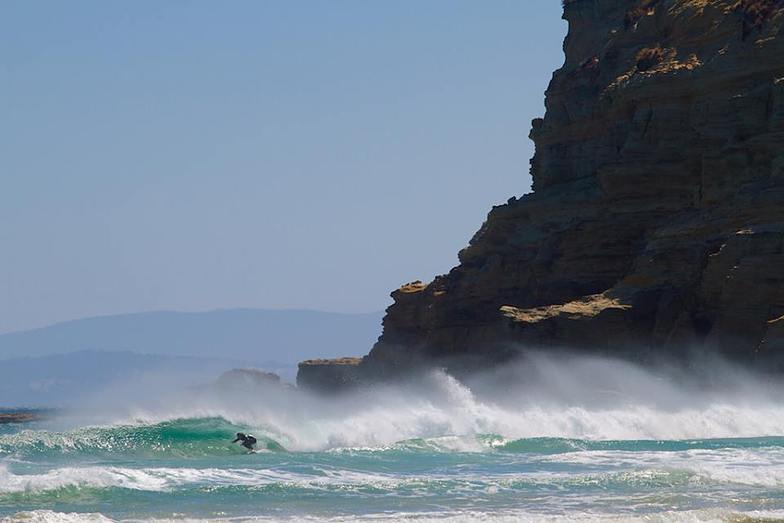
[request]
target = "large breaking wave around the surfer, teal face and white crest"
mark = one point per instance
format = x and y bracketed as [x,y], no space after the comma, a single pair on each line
[437,413]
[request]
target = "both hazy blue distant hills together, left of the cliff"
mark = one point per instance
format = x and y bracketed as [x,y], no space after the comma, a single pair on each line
[56,365]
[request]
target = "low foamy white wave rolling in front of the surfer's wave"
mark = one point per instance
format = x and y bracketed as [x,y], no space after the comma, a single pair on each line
[638,470]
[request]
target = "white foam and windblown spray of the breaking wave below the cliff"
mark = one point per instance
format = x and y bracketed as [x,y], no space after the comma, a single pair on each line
[540,396]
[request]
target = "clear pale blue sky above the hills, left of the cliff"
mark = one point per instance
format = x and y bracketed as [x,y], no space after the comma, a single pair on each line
[194,155]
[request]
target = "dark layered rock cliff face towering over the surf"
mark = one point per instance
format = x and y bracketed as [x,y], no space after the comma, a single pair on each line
[656,223]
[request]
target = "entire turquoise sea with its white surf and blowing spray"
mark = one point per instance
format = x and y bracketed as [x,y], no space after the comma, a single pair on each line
[550,439]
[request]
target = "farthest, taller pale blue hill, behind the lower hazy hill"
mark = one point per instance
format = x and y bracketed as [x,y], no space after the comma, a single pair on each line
[284,336]
